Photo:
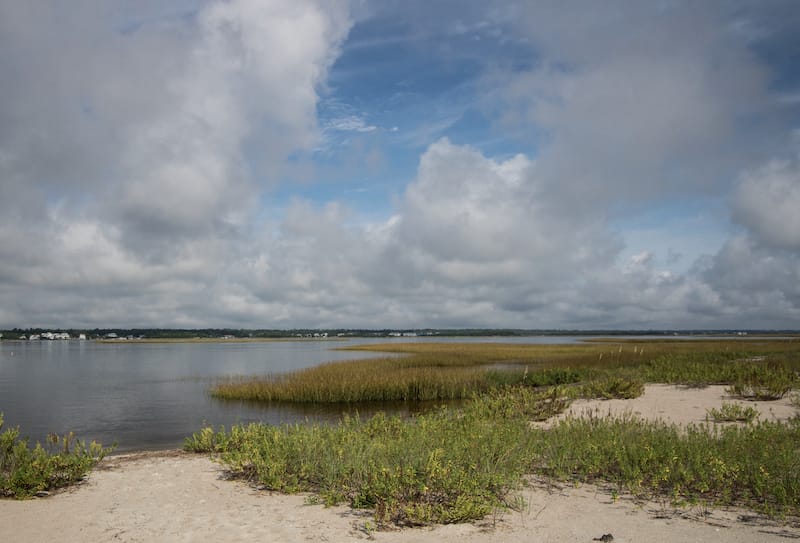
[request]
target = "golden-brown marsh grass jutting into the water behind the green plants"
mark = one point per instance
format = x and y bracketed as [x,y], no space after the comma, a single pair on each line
[448,371]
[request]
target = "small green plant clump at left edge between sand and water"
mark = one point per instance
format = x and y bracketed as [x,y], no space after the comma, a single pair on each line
[25,471]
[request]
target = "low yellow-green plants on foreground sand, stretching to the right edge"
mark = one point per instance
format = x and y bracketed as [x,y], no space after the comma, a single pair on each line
[457,465]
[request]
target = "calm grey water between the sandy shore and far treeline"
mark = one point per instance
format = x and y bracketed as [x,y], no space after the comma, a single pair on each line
[153,395]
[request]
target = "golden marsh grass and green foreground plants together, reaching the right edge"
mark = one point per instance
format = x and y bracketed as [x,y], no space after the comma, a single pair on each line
[466,459]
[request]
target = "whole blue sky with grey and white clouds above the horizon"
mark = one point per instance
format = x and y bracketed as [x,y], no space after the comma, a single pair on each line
[400,164]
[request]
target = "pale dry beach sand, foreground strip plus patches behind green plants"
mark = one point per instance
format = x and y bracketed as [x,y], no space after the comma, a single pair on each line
[173,496]
